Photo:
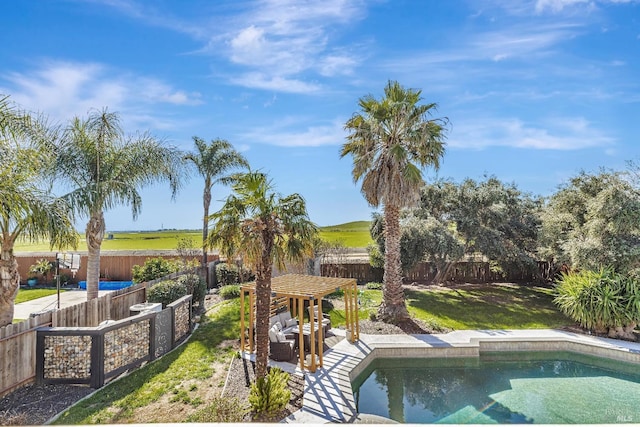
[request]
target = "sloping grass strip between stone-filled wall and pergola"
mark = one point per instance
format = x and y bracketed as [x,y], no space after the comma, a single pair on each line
[175,378]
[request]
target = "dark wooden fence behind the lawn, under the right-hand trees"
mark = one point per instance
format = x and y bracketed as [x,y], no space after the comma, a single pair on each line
[473,272]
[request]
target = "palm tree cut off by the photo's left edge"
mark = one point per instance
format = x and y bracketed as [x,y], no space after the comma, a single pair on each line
[27,208]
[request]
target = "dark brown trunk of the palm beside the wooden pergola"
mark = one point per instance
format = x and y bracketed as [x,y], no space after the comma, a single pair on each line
[263,304]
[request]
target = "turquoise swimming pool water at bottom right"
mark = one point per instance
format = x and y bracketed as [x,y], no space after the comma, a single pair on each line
[502,388]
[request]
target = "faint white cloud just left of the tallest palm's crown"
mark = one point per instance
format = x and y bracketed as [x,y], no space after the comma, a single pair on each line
[291,133]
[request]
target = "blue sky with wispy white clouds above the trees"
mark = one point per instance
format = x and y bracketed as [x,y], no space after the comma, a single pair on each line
[535,90]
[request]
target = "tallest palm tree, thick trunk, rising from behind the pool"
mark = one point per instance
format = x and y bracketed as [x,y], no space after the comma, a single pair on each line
[390,140]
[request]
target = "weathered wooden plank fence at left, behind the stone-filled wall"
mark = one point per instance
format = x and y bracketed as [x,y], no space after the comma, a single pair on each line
[18,341]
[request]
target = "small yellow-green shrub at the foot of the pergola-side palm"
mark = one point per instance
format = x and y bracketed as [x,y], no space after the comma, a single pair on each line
[270,394]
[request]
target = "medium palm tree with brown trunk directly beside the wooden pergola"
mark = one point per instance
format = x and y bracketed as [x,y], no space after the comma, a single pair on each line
[265,228]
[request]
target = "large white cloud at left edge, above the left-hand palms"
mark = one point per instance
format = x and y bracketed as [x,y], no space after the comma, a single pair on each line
[66,89]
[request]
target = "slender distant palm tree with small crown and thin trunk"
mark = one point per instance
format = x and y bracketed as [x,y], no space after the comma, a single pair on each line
[213,161]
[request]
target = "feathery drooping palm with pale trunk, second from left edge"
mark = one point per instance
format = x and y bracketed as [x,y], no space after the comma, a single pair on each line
[105,169]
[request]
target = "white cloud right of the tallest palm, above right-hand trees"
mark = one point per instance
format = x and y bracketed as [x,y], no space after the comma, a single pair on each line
[554,134]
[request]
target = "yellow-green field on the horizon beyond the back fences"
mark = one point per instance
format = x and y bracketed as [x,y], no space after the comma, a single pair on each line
[351,234]
